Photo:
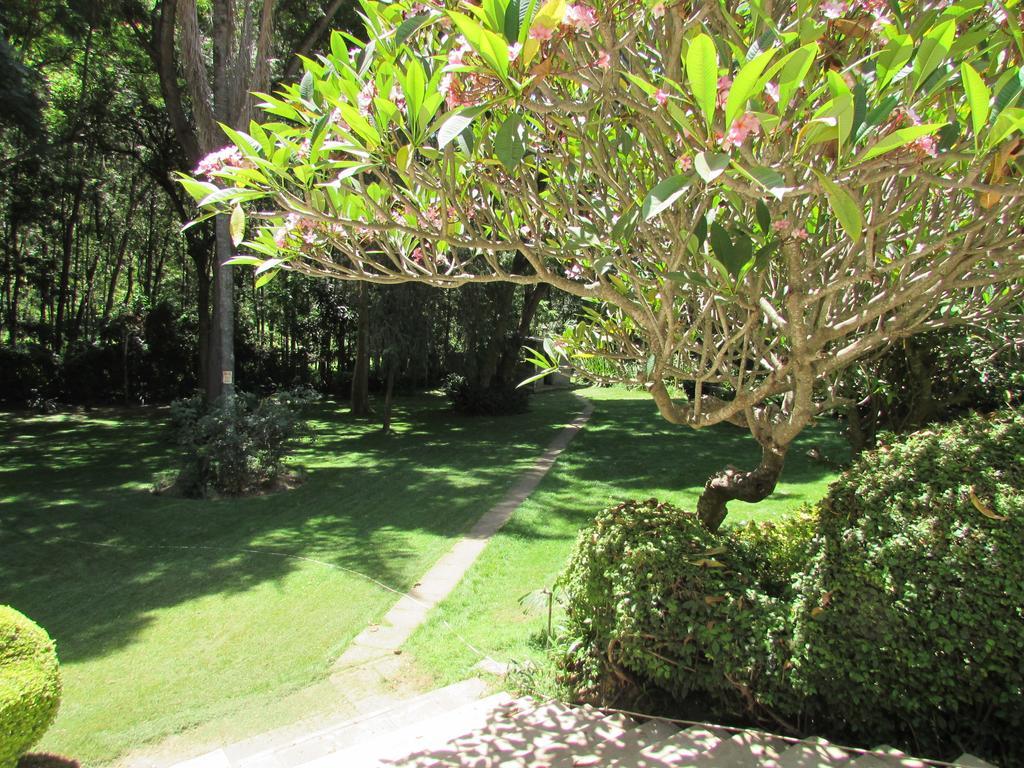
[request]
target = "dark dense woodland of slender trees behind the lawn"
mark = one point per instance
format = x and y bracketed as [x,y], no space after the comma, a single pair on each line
[106,300]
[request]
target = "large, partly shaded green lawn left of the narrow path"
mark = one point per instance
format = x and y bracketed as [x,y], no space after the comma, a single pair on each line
[201,611]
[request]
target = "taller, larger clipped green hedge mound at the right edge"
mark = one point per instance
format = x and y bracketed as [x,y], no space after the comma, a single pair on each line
[910,623]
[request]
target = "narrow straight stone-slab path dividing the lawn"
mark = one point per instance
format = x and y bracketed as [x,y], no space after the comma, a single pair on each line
[376,647]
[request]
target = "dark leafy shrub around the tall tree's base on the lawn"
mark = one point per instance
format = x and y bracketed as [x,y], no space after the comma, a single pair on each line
[239,444]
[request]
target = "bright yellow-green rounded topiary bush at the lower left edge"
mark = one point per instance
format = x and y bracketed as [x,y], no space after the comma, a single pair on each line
[30,685]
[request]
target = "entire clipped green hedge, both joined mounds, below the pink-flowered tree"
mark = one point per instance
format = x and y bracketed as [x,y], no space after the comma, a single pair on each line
[892,615]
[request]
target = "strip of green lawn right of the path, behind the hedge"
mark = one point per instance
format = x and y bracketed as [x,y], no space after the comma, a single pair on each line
[627,452]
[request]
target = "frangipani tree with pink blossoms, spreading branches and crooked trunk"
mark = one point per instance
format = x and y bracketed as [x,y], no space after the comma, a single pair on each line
[752,195]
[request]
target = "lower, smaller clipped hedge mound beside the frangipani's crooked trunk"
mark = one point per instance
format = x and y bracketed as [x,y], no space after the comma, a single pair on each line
[657,603]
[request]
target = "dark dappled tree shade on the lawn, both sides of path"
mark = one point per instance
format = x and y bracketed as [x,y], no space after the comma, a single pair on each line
[73,479]
